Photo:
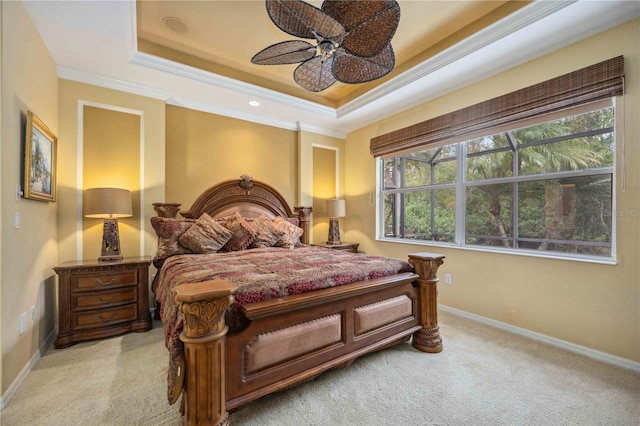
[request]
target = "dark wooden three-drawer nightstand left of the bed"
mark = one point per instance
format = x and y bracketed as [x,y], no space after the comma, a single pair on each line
[102,299]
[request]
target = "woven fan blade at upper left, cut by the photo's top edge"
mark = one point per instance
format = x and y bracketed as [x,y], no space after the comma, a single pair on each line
[303,20]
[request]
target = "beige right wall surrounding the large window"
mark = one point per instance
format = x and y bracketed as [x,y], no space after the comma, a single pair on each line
[594,305]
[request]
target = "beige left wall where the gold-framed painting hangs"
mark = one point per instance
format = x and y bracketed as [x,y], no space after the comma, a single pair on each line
[29,83]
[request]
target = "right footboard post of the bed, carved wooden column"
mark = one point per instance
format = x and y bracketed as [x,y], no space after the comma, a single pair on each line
[426,265]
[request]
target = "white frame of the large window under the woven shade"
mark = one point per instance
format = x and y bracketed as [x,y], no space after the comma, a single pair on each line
[462,184]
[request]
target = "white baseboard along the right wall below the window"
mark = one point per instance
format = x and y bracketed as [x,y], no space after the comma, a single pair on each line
[571,347]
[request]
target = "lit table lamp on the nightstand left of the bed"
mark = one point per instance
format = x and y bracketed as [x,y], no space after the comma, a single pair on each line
[108,204]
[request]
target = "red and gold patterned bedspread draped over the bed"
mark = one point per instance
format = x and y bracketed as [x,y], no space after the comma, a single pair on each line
[260,274]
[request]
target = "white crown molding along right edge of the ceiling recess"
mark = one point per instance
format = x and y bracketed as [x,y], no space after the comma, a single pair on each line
[497,31]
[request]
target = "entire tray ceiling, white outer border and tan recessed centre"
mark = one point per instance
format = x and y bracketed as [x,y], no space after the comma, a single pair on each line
[196,54]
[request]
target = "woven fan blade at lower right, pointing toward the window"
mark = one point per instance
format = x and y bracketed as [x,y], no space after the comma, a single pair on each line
[354,69]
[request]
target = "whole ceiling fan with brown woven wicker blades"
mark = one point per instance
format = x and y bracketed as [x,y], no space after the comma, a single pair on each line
[352,40]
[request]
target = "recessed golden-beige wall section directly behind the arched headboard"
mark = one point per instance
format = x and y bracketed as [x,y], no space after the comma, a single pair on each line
[204,149]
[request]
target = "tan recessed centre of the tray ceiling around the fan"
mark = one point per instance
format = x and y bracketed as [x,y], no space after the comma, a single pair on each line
[222,36]
